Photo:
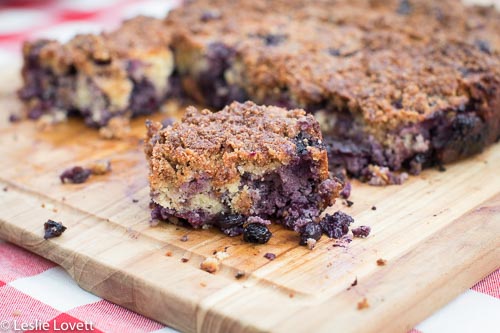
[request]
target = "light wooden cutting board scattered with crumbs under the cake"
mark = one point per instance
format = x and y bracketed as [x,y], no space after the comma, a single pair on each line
[439,233]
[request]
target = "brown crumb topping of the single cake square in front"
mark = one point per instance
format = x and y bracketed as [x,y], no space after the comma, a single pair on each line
[243,137]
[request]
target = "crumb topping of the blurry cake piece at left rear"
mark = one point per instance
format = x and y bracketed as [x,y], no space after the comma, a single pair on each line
[102,54]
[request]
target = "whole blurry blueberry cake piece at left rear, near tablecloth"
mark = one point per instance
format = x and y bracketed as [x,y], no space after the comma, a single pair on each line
[122,73]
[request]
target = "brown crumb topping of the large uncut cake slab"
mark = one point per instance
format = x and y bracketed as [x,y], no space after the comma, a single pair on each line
[392,62]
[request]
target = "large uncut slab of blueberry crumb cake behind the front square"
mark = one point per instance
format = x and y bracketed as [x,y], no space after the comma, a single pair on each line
[396,85]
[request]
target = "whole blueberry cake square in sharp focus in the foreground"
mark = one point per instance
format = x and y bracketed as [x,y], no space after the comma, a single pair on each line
[246,163]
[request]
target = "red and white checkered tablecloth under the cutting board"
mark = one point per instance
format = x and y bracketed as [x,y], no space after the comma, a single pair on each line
[35,292]
